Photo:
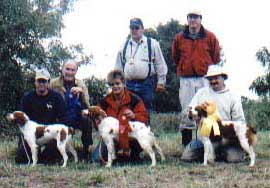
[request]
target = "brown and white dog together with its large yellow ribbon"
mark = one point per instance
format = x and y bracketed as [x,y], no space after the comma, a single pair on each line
[210,125]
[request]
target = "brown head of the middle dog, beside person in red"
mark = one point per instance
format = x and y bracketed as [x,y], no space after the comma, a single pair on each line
[95,114]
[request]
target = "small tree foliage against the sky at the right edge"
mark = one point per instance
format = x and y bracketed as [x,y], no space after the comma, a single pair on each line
[261,85]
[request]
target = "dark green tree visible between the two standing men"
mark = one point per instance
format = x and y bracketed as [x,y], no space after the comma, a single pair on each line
[168,101]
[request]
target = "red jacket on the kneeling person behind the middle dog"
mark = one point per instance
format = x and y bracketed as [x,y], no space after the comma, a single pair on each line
[129,101]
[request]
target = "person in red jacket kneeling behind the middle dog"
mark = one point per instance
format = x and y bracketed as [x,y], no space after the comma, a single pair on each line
[121,102]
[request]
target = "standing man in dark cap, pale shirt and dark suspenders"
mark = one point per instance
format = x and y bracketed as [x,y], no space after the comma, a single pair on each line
[140,58]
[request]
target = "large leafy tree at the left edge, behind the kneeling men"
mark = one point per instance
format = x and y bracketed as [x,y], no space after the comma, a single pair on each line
[30,38]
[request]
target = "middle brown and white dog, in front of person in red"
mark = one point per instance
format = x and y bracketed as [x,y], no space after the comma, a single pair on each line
[108,128]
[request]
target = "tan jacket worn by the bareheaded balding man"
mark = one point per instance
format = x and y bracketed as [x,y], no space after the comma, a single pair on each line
[57,84]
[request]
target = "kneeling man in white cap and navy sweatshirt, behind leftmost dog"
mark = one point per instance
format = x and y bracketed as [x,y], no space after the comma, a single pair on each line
[44,106]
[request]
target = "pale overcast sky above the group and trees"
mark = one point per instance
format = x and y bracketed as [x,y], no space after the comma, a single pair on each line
[242,27]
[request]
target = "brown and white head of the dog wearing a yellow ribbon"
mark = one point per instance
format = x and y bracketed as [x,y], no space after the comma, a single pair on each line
[202,110]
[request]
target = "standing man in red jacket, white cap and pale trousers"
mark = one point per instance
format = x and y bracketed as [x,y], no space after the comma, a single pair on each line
[193,50]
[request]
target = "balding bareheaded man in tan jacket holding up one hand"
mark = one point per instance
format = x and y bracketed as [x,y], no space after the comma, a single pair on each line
[76,97]
